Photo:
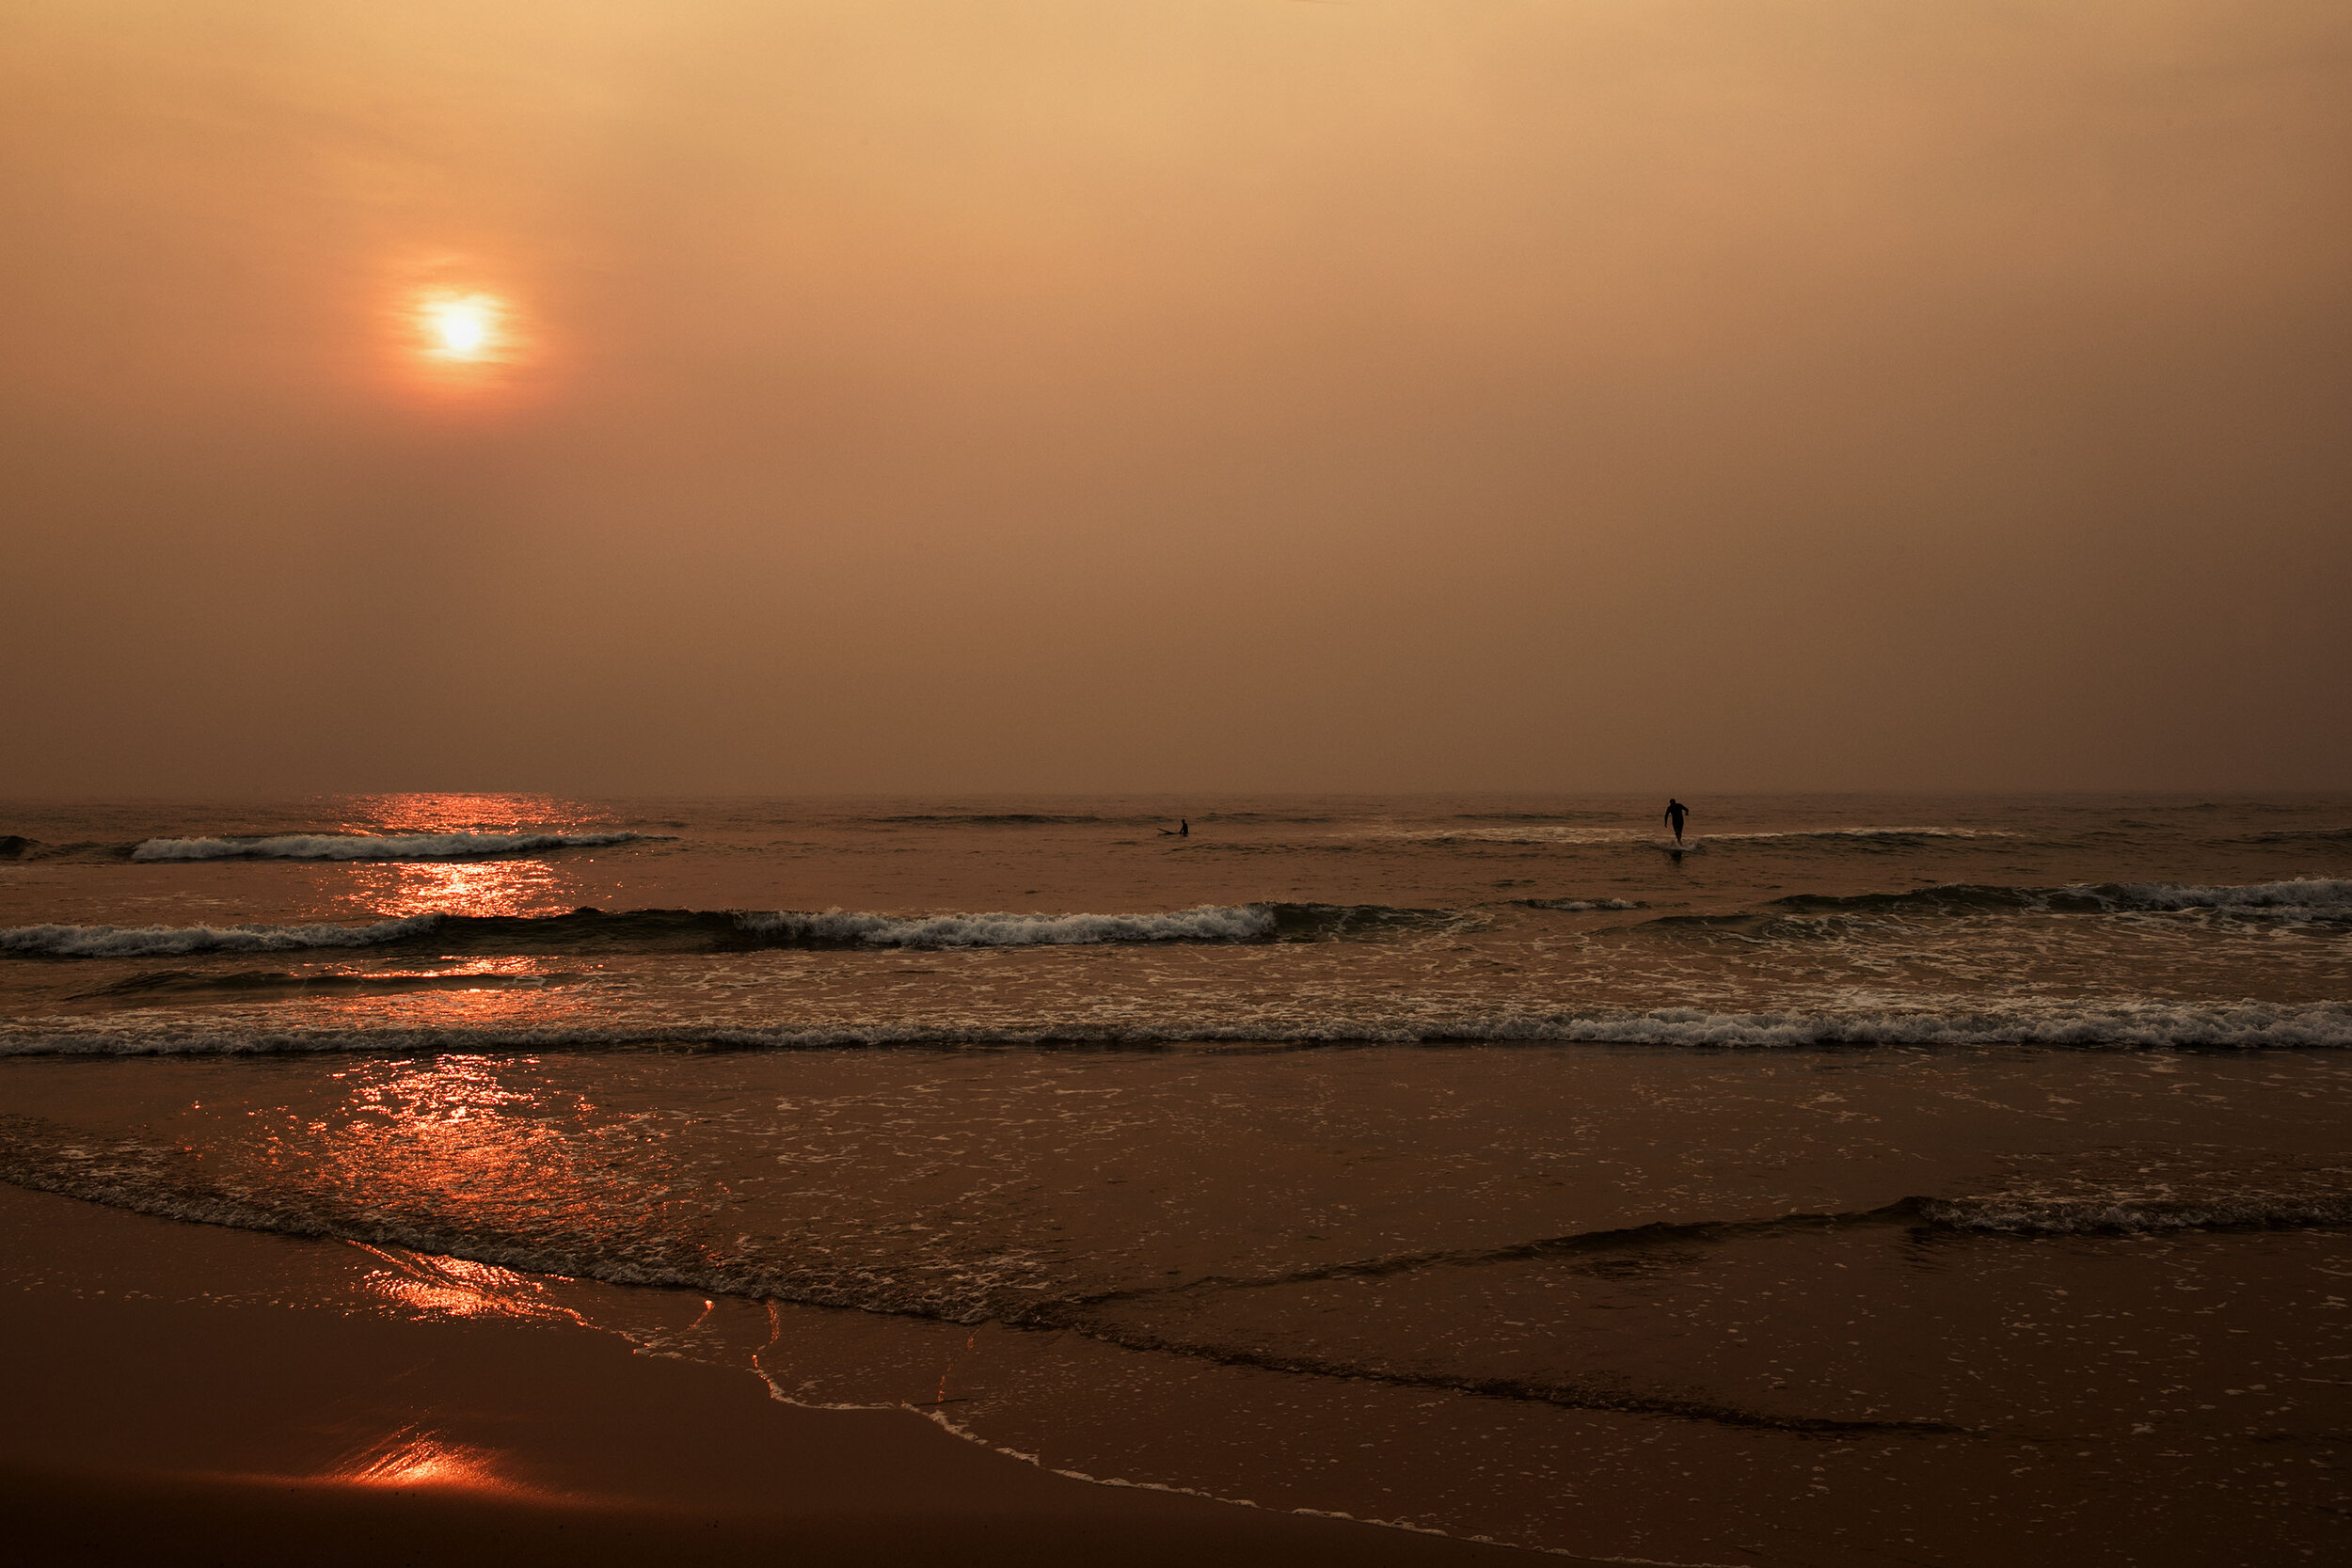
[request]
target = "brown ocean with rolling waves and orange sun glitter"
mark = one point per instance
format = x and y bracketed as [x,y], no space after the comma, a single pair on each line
[1869,1179]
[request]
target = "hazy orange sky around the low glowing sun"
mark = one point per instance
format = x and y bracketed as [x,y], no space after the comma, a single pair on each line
[1177,394]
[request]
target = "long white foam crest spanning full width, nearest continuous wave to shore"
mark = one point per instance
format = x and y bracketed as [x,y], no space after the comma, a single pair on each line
[2094,1028]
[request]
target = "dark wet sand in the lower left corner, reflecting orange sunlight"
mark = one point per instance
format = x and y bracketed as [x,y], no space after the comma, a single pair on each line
[265,1419]
